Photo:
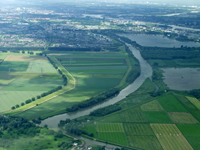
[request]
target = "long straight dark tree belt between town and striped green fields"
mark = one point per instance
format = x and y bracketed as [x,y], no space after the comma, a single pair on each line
[73,49]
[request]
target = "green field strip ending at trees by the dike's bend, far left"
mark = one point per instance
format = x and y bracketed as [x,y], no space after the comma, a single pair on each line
[33,85]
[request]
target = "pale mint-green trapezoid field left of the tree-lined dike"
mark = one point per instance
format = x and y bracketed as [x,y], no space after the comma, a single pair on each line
[41,66]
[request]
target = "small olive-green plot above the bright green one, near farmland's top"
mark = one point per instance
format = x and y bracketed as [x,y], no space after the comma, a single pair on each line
[151,106]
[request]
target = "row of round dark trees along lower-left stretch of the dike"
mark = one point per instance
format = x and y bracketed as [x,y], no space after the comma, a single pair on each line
[38,97]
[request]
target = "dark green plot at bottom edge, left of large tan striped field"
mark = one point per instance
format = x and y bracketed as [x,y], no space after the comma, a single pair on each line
[145,142]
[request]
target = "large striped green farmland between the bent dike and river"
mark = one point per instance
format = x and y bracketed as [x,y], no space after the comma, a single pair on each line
[90,82]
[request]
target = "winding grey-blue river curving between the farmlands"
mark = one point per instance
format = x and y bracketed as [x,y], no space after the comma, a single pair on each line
[146,72]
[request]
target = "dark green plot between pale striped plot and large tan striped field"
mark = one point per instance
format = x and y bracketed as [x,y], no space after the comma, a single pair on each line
[135,129]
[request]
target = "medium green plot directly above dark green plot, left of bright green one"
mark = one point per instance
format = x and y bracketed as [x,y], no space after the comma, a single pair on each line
[133,115]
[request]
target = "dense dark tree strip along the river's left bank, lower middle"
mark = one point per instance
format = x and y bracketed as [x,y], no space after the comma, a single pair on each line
[94,100]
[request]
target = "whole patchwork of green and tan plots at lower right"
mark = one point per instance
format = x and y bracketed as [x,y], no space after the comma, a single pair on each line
[152,125]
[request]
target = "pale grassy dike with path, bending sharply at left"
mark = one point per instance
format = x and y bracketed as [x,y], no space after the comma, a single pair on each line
[35,102]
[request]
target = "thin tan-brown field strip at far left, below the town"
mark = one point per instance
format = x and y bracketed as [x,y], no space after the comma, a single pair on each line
[24,58]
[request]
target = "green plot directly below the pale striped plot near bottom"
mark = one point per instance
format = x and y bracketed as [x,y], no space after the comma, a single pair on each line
[113,137]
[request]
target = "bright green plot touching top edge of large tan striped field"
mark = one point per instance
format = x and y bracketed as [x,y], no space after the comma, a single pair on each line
[157,117]
